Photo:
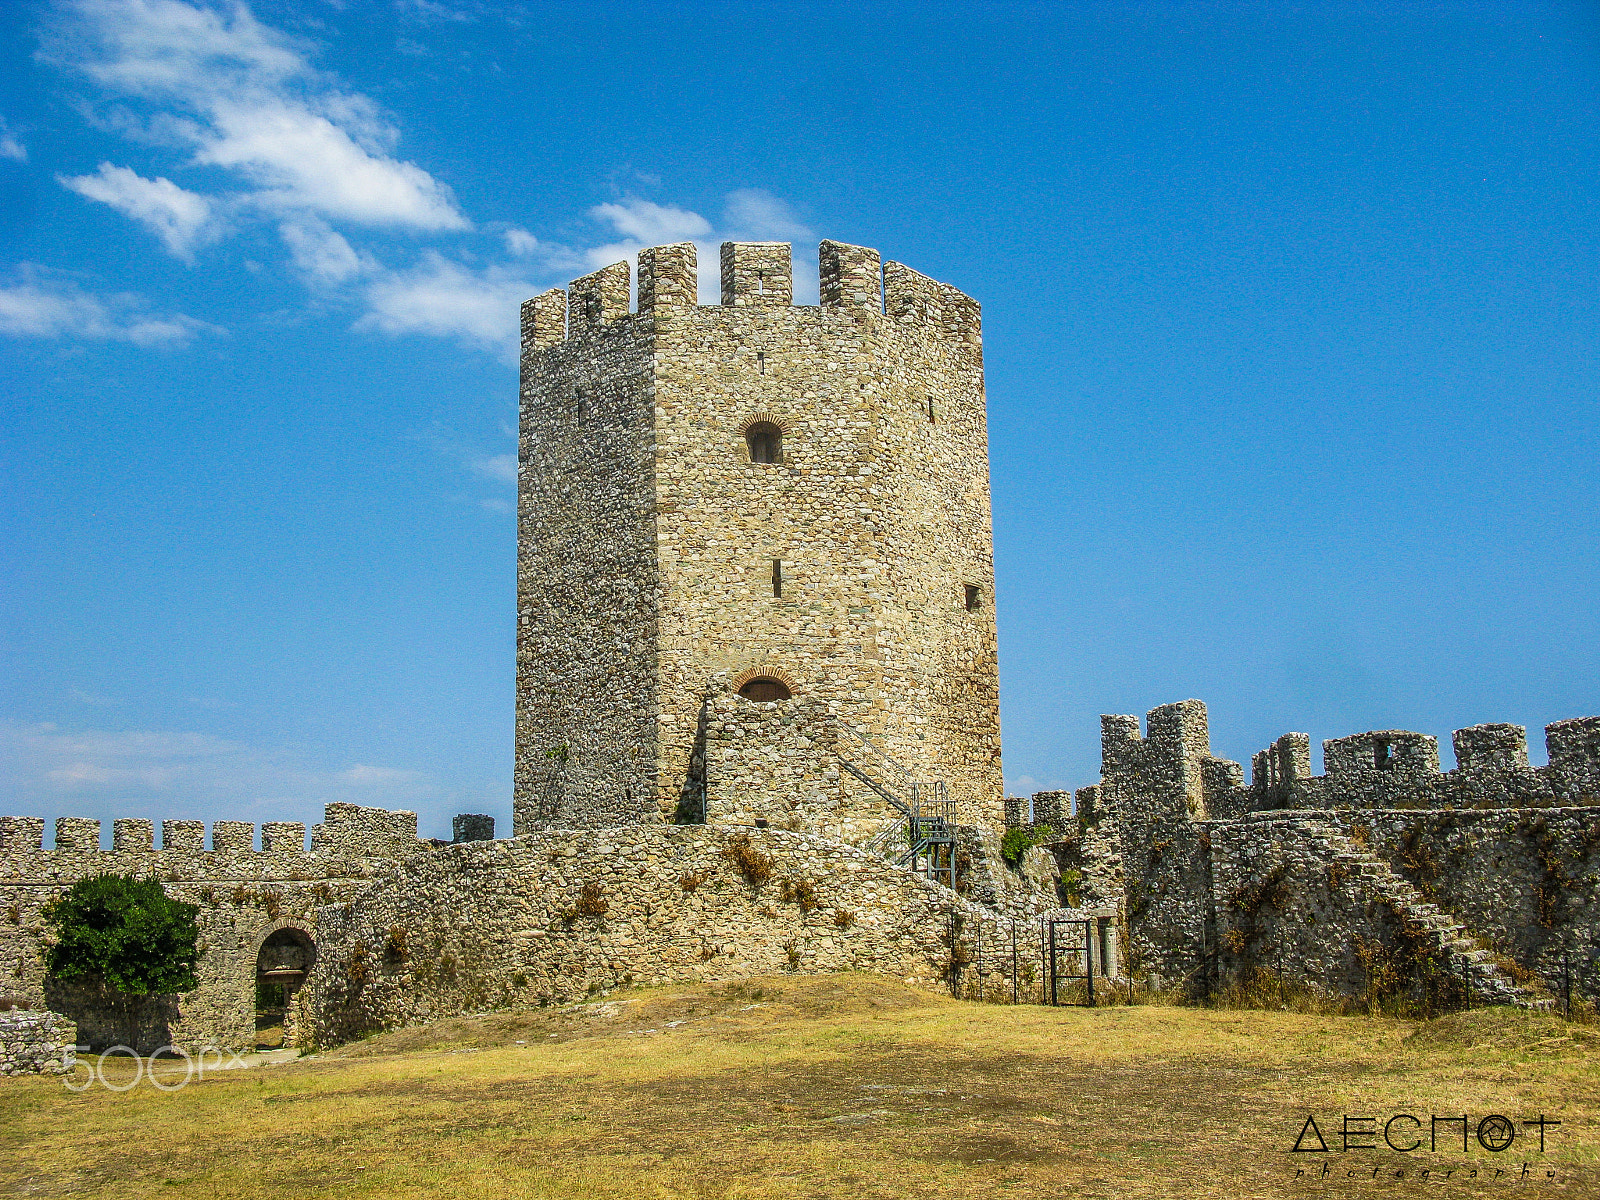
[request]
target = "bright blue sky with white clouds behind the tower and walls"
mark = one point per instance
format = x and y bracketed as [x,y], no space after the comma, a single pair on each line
[1290,324]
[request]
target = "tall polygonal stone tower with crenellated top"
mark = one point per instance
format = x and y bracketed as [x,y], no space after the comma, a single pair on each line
[745,527]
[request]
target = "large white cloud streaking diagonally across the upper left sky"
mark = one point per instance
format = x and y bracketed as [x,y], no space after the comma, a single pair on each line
[246,98]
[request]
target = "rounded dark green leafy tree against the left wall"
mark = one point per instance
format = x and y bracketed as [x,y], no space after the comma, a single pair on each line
[129,937]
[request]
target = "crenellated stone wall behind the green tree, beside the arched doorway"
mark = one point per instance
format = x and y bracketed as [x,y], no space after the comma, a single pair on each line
[242,895]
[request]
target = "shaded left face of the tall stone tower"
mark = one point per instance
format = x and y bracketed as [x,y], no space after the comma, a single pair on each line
[588,591]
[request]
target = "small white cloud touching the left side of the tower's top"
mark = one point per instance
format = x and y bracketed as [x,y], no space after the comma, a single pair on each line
[446,298]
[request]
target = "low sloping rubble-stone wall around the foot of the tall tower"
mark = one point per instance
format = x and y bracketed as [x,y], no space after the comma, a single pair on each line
[554,916]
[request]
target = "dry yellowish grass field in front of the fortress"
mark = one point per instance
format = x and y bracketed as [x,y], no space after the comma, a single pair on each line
[836,1087]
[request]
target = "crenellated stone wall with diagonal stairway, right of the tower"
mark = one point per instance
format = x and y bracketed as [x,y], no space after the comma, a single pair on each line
[1383,878]
